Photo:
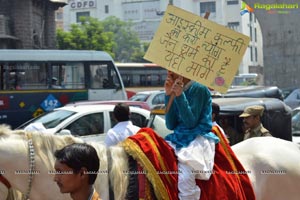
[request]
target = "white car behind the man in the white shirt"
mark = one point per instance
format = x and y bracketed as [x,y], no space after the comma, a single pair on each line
[90,122]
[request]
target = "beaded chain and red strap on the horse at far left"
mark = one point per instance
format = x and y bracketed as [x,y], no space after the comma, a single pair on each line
[31,158]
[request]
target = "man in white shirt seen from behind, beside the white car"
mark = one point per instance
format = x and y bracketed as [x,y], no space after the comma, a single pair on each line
[123,129]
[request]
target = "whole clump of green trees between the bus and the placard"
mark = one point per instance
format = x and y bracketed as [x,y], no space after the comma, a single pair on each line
[111,35]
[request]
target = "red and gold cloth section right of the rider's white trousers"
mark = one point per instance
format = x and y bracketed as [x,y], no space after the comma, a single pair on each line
[229,181]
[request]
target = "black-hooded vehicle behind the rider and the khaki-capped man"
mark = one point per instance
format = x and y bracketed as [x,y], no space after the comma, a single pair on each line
[276,118]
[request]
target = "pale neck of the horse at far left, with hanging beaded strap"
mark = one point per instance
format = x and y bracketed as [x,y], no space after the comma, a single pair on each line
[26,160]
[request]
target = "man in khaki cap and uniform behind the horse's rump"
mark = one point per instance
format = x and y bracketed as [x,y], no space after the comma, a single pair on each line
[252,122]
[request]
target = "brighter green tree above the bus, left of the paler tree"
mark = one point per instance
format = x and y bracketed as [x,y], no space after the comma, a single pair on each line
[88,35]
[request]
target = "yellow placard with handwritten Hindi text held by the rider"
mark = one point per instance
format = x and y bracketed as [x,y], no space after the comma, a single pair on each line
[197,48]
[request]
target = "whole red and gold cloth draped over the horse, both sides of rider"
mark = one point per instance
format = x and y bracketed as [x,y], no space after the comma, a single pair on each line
[158,160]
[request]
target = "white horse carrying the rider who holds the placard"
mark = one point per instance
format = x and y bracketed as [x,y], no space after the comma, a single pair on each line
[274,166]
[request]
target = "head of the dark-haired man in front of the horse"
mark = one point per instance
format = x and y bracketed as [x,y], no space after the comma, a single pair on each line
[76,165]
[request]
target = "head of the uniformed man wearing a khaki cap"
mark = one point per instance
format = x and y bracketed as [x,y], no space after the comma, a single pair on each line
[251,116]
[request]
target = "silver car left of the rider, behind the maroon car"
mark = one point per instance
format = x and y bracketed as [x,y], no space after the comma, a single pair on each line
[151,97]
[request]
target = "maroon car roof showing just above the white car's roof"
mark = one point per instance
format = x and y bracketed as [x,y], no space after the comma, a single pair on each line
[139,104]
